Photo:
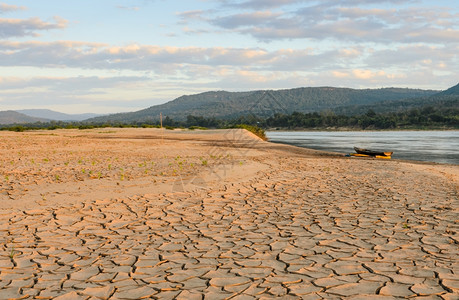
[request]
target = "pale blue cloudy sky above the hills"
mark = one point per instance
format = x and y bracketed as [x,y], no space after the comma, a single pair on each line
[109,56]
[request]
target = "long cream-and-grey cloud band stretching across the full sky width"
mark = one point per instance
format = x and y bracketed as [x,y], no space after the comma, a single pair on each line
[173,61]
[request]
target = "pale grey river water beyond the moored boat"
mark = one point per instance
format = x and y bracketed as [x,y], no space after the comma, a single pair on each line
[434,146]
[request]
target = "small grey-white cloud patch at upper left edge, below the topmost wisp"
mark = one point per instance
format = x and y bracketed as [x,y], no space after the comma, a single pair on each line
[28,27]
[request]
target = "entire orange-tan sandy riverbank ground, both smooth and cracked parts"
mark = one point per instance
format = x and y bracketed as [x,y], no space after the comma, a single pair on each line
[145,213]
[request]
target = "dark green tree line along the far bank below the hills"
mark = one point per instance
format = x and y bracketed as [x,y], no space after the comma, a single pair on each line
[428,117]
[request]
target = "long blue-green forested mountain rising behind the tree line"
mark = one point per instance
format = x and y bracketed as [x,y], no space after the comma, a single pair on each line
[265,103]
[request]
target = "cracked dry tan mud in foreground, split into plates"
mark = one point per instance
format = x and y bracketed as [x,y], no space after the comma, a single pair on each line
[303,228]
